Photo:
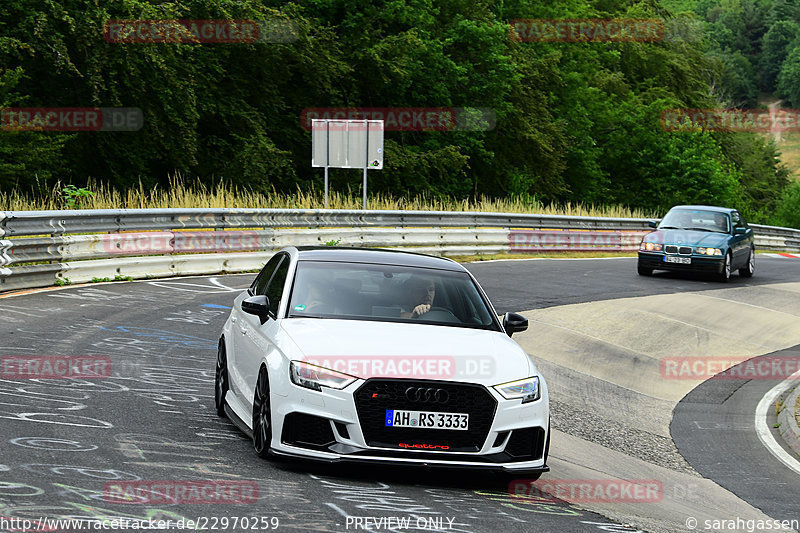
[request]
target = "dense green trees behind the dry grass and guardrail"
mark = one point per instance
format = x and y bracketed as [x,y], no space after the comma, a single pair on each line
[572,122]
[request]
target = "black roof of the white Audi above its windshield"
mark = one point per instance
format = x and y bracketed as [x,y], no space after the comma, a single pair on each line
[375,256]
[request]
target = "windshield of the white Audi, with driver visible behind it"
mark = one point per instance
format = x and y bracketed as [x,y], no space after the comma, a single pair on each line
[388,293]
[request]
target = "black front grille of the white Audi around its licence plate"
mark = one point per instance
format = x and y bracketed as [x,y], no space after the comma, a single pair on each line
[375,396]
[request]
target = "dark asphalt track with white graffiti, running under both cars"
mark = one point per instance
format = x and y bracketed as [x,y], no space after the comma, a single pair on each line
[67,445]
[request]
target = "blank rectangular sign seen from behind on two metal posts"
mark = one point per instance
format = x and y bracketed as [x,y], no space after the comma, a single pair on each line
[339,143]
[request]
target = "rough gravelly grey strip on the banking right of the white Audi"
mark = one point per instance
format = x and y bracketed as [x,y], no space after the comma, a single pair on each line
[587,425]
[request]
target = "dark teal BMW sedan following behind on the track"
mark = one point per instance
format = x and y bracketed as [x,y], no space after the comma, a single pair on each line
[699,238]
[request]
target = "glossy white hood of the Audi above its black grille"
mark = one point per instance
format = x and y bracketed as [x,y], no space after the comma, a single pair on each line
[412,351]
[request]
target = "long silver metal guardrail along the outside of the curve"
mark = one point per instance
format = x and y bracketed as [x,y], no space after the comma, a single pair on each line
[141,243]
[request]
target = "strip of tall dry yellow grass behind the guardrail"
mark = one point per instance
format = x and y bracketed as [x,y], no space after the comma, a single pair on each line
[179,194]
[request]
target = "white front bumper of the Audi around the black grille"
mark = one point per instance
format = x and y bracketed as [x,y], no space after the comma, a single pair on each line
[325,426]
